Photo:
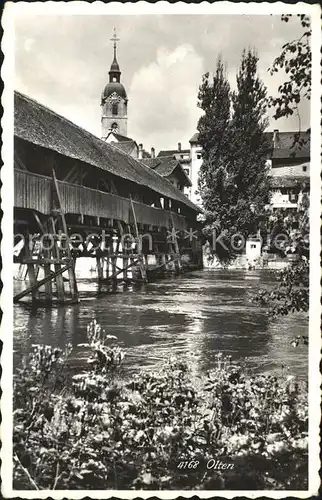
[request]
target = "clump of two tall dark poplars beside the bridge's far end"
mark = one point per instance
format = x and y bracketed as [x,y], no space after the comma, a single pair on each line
[233,180]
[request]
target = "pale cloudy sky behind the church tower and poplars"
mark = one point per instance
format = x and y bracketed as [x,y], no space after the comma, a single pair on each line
[63,62]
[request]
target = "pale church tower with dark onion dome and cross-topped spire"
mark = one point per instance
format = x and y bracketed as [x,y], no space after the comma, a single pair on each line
[114,100]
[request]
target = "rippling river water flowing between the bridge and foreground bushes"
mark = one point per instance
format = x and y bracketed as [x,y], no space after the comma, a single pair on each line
[193,316]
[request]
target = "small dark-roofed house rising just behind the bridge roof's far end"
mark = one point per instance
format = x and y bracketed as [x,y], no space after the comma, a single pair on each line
[170,168]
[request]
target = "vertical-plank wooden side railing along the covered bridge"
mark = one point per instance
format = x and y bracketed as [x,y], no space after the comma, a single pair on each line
[33,191]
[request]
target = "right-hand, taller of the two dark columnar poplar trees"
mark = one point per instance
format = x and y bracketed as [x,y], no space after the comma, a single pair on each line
[249,146]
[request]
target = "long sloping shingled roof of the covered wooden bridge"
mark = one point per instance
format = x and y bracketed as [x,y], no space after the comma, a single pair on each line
[40,125]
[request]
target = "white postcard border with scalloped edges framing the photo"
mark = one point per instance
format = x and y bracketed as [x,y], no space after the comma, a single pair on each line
[7,73]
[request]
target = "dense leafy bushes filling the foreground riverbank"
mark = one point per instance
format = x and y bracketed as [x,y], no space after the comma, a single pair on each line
[97,432]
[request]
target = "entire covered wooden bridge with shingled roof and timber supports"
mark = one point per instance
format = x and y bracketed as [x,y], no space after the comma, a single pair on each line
[77,196]
